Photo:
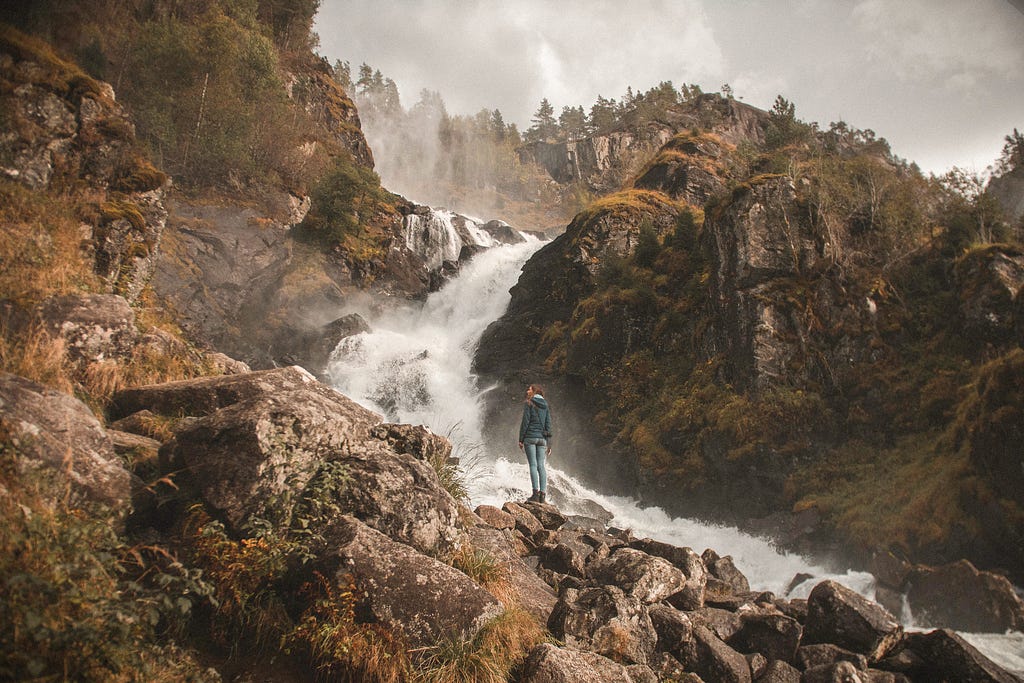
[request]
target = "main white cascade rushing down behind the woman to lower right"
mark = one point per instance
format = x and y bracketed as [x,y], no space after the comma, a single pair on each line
[415,367]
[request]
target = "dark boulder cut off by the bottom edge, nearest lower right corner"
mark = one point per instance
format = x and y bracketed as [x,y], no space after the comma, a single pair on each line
[946,656]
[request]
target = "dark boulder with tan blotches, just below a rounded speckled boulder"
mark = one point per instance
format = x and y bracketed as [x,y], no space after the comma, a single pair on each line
[606,621]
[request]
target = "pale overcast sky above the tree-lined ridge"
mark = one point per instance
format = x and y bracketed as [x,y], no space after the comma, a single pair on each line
[943,80]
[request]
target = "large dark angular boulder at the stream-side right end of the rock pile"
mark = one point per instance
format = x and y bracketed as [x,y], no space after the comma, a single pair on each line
[837,615]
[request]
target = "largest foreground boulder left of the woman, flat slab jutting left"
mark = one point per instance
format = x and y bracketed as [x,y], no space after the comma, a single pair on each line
[265,436]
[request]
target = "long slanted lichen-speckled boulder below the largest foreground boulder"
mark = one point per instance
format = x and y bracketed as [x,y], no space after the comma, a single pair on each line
[424,600]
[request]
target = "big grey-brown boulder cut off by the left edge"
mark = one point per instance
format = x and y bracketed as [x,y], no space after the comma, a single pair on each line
[59,439]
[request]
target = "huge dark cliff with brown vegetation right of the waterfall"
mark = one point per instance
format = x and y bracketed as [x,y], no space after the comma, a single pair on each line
[771,333]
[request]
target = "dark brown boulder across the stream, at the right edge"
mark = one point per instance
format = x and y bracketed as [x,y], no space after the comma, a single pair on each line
[961,597]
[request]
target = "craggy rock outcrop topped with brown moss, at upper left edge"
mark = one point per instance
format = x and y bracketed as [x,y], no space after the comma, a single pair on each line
[65,129]
